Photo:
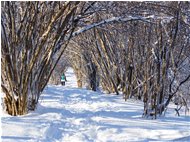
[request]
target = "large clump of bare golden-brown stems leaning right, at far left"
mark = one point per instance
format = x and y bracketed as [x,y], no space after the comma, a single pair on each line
[31,34]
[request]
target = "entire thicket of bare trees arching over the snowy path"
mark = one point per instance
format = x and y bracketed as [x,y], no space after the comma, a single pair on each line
[139,50]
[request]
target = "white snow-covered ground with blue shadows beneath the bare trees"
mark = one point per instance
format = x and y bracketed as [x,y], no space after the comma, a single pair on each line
[69,114]
